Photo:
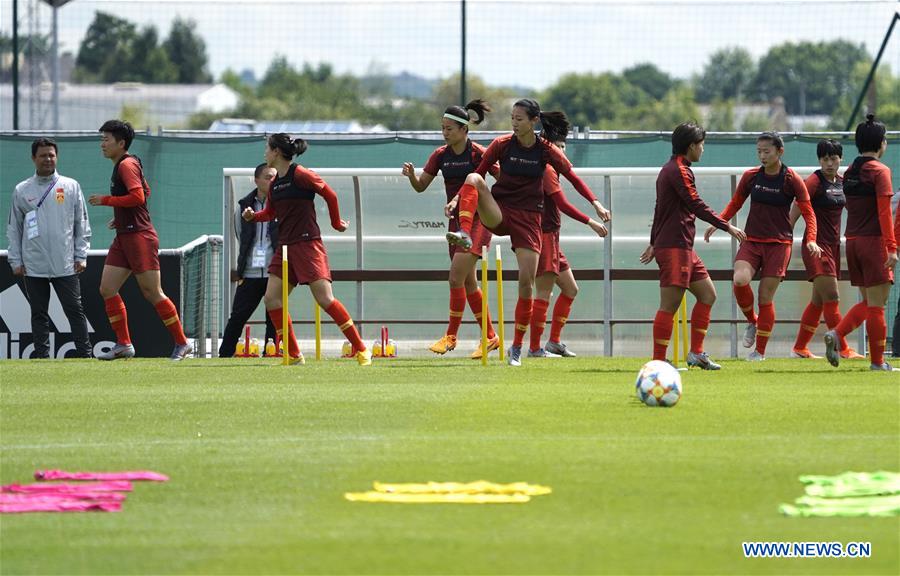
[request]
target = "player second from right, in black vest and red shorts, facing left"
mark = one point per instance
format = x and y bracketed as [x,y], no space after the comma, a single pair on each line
[826,194]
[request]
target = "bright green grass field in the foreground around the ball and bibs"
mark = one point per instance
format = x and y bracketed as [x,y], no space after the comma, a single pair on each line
[260,456]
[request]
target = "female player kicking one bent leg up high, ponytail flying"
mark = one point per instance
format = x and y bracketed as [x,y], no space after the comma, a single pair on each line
[513,206]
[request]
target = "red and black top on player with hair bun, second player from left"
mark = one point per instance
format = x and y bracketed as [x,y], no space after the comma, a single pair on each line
[290,200]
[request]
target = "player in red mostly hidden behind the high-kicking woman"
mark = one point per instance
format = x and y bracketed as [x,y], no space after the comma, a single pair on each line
[553,268]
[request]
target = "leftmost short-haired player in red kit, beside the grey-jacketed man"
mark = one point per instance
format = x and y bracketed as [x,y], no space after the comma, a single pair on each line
[135,249]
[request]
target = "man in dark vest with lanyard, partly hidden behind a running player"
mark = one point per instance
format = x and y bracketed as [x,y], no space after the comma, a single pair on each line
[258,241]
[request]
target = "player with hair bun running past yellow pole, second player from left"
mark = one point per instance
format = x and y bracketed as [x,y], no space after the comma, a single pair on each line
[291,201]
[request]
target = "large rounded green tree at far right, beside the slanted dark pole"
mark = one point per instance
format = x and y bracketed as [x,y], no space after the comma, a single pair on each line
[812,77]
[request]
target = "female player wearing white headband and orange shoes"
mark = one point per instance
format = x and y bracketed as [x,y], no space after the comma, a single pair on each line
[456,160]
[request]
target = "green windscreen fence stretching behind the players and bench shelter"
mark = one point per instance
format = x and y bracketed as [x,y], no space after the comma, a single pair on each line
[185,174]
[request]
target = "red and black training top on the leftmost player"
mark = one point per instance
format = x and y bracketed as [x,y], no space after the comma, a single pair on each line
[129,192]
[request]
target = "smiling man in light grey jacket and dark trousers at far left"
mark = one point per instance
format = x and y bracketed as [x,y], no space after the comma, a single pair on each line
[49,236]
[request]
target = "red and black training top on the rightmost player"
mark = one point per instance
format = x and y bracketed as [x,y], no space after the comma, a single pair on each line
[867,185]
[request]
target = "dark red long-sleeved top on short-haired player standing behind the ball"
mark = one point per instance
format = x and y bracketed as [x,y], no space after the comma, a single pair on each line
[677,206]
